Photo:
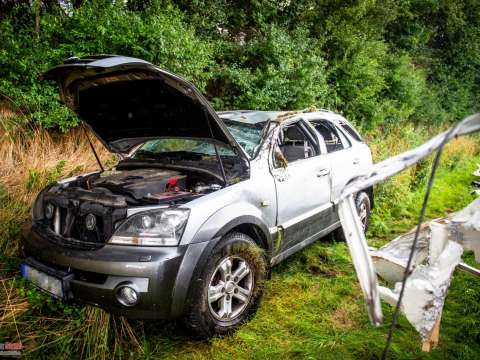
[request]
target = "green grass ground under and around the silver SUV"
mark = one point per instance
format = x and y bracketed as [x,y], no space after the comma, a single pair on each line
[312,306]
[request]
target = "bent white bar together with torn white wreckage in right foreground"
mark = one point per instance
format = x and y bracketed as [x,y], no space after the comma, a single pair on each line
[439,248]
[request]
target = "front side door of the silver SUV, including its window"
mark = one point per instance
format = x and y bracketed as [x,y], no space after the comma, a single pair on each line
[303,184]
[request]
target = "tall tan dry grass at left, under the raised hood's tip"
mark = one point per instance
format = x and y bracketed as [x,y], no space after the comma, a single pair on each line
[31,156]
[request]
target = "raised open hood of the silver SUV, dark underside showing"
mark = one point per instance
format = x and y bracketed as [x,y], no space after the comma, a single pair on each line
[126,101]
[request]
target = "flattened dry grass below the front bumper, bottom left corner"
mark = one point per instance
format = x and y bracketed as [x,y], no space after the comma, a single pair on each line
[98,335]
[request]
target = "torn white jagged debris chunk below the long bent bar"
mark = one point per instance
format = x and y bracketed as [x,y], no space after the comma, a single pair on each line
[438,252]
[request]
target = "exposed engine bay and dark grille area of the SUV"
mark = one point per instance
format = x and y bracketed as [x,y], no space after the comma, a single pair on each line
[88,208]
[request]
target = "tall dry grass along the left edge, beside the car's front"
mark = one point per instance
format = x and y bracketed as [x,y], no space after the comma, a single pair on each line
[30,158]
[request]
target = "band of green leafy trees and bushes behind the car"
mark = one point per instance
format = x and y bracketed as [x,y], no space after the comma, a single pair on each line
[378,62]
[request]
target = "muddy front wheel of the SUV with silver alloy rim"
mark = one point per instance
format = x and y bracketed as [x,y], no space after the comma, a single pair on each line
[208,316]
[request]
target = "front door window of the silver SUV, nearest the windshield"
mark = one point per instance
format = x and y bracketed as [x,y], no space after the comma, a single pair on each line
[293,145]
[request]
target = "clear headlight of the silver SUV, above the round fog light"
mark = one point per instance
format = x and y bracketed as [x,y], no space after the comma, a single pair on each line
[163,227]
